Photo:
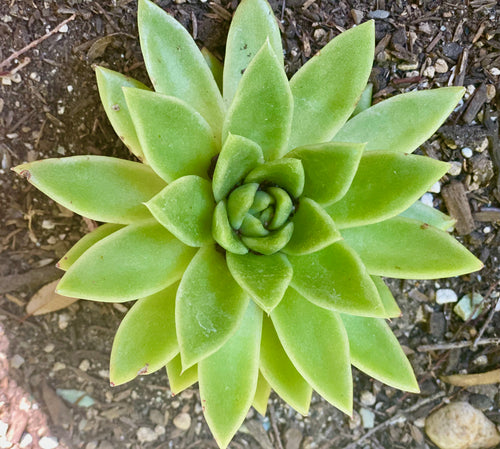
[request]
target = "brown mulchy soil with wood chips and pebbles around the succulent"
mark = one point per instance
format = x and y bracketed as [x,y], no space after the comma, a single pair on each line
[49,107]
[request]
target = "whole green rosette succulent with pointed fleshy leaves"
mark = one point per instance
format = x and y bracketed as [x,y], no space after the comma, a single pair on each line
[257,229]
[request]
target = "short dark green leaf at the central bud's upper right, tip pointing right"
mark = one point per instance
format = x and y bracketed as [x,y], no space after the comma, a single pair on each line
[329,169]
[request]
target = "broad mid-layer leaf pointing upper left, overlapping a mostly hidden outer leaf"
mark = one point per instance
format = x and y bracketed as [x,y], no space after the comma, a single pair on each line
[175,139]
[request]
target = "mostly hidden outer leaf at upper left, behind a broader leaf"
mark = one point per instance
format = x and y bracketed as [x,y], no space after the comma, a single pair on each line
[110,85]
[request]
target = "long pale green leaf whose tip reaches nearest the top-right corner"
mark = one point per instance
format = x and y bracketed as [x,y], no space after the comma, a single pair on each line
[326,89]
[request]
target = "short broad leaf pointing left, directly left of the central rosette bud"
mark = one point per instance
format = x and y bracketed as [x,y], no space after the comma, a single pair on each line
[185,207]
